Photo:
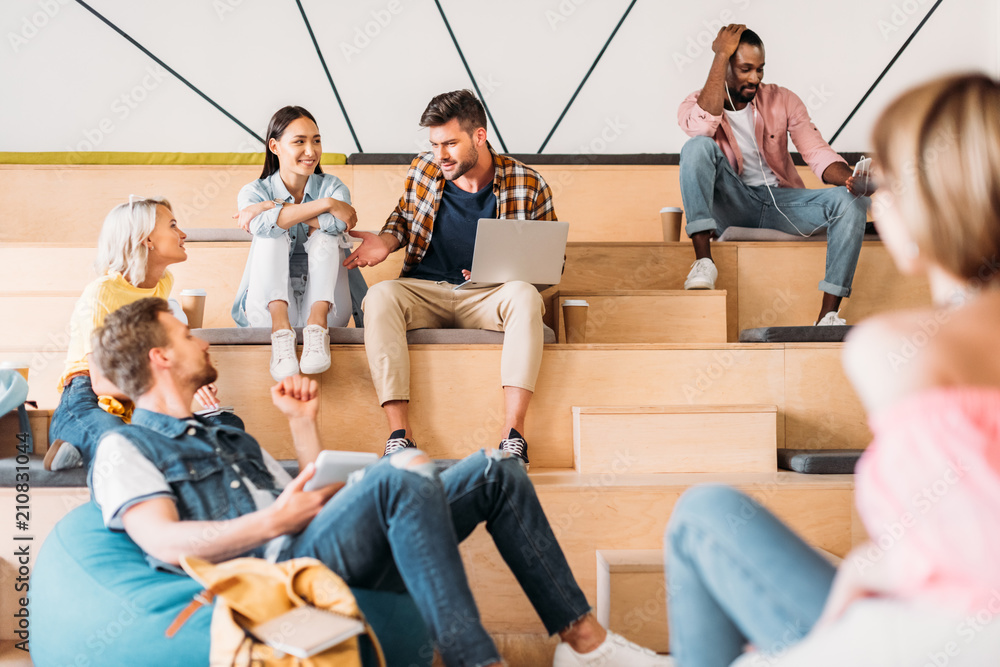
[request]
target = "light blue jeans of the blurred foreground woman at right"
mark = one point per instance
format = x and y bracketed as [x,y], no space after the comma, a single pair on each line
[736,574]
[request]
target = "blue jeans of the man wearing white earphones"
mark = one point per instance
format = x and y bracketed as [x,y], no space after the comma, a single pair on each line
[715,198]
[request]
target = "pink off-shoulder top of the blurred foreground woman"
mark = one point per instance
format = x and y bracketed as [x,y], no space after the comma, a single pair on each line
[928,491]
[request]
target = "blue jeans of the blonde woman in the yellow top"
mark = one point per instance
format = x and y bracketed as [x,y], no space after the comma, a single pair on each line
[79,420]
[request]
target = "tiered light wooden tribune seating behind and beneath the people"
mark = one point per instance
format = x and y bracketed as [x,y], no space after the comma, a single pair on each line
[605,477]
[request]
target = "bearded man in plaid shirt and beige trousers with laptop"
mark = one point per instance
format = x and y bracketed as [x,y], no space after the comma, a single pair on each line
[446,192]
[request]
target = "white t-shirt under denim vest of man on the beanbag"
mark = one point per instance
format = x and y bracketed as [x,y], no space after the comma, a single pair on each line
[123,477]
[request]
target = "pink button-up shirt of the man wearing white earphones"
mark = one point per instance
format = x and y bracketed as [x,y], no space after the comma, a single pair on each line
[780,112]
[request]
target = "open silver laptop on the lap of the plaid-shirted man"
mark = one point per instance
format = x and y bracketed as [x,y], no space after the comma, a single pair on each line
[528,250]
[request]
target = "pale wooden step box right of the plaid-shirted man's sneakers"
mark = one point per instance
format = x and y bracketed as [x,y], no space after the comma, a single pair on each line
[675,438]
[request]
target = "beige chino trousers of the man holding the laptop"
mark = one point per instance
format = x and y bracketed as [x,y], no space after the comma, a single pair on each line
[393,307]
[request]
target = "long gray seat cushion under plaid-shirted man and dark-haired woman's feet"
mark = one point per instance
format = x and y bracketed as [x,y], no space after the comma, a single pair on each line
[352,336]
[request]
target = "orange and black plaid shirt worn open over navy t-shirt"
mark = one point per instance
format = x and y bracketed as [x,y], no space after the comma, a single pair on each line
[521,194]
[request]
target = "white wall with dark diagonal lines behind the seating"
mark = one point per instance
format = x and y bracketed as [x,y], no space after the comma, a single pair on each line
[71,83]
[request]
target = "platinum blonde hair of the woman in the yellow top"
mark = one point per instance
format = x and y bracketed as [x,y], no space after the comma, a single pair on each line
[120,246]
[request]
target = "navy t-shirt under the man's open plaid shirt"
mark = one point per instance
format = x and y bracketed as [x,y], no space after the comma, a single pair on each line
[454,234]
